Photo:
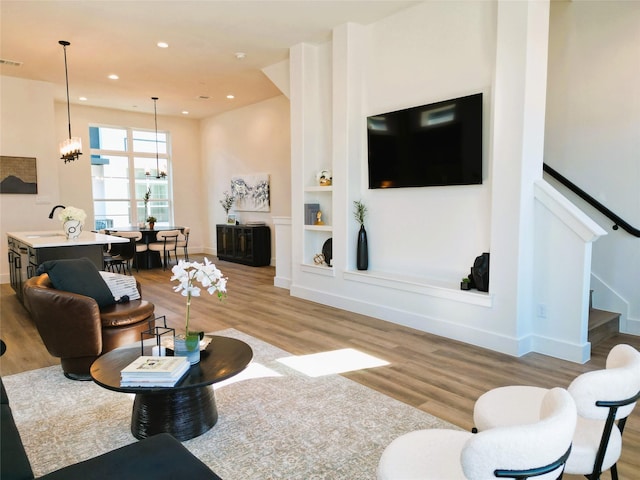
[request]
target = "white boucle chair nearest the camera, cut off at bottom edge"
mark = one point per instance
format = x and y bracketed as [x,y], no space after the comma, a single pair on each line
[519,451]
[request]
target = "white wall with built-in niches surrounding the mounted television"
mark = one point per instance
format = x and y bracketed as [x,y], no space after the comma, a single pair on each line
[422,241]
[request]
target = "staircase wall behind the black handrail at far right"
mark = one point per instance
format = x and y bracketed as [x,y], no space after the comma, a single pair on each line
[592,134]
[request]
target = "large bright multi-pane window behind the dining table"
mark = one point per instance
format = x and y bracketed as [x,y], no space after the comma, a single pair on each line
[124,168]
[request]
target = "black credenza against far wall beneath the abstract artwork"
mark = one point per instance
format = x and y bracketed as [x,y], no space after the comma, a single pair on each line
[246,244]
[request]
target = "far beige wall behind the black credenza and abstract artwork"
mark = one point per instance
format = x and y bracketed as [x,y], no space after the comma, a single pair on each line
[252,139]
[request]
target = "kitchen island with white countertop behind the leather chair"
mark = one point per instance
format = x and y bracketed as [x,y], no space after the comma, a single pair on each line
[27,250]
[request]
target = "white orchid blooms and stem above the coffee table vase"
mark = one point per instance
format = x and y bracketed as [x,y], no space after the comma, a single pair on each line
[188,274]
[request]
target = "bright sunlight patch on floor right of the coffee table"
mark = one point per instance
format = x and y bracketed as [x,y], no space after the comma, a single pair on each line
[336,361]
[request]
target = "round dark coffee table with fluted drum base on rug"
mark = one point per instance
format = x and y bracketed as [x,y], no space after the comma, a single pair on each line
[185,410]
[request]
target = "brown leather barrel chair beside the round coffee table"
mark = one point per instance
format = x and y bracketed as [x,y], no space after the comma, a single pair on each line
[74,329]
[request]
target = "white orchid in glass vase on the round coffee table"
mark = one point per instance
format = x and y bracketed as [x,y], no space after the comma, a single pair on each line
[188,274]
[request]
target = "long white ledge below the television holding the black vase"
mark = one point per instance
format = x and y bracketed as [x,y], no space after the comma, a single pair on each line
[421,285]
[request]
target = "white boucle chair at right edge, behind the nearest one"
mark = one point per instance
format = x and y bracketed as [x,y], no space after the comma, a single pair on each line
[602,397]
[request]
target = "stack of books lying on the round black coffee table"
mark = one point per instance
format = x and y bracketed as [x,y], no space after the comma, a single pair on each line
[147,371]
